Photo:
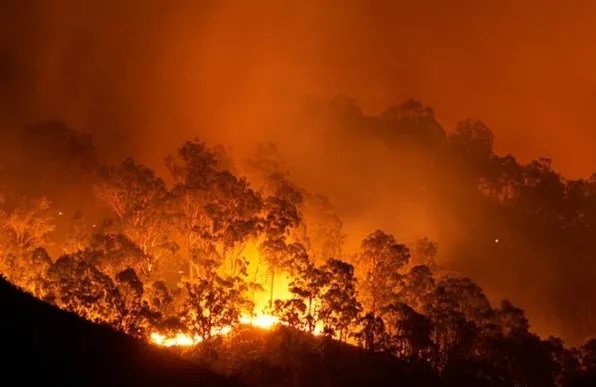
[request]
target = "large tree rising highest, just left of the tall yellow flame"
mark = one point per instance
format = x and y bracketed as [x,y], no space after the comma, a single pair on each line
[219,211]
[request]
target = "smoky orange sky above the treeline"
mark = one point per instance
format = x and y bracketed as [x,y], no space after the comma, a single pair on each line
[231,71]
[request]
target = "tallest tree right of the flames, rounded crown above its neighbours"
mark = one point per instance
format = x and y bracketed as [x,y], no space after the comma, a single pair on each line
[381,259]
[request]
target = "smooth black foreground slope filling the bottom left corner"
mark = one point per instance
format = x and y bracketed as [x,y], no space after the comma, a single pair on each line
[42,345]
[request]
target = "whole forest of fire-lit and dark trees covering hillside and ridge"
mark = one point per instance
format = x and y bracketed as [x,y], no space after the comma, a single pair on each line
[189,258]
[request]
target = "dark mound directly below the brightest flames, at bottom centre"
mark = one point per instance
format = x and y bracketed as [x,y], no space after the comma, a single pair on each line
[284,357]
